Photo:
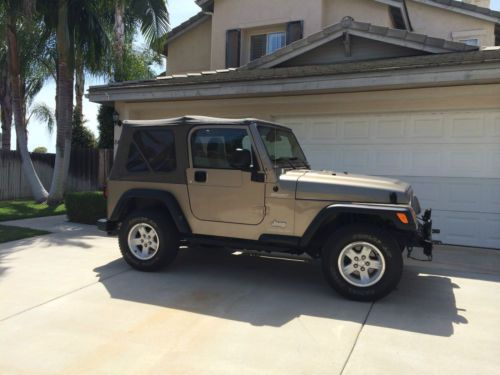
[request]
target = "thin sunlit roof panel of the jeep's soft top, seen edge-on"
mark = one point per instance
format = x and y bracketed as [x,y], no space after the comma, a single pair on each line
[197,120]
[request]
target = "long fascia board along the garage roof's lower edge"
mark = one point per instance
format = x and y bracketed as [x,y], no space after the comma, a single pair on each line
[417,77]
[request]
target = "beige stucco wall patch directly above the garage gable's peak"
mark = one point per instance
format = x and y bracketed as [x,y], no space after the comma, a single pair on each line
[361,10]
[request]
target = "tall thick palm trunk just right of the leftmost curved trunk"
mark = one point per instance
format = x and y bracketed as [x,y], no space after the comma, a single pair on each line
[64,105]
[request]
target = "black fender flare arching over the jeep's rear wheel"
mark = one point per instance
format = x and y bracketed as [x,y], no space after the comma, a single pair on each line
[167,198]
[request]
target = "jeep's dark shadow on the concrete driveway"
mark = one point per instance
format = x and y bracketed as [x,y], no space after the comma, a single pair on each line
[265,291]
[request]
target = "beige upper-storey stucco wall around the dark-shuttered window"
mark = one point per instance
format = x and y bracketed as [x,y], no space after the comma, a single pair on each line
[244,14]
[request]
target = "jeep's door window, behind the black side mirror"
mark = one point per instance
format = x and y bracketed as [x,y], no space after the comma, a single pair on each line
[220,148]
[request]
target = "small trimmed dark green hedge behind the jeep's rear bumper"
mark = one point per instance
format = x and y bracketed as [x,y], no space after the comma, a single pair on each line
[85,207]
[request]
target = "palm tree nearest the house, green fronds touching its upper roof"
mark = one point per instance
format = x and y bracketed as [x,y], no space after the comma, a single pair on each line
[152,17]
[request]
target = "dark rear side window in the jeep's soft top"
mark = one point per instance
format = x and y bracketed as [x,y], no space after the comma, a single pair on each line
[152,150]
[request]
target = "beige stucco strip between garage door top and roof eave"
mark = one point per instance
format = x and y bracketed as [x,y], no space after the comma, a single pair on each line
[424,99]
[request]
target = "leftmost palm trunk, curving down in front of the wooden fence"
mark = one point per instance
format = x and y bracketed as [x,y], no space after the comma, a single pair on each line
[13,14]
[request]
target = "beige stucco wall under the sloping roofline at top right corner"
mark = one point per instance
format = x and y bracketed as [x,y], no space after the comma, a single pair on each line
[441,23]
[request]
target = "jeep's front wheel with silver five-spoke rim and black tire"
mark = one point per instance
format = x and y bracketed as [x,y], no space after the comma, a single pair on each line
[362,263]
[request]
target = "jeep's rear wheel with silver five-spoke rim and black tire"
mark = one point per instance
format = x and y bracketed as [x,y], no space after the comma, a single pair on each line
[148,240]
